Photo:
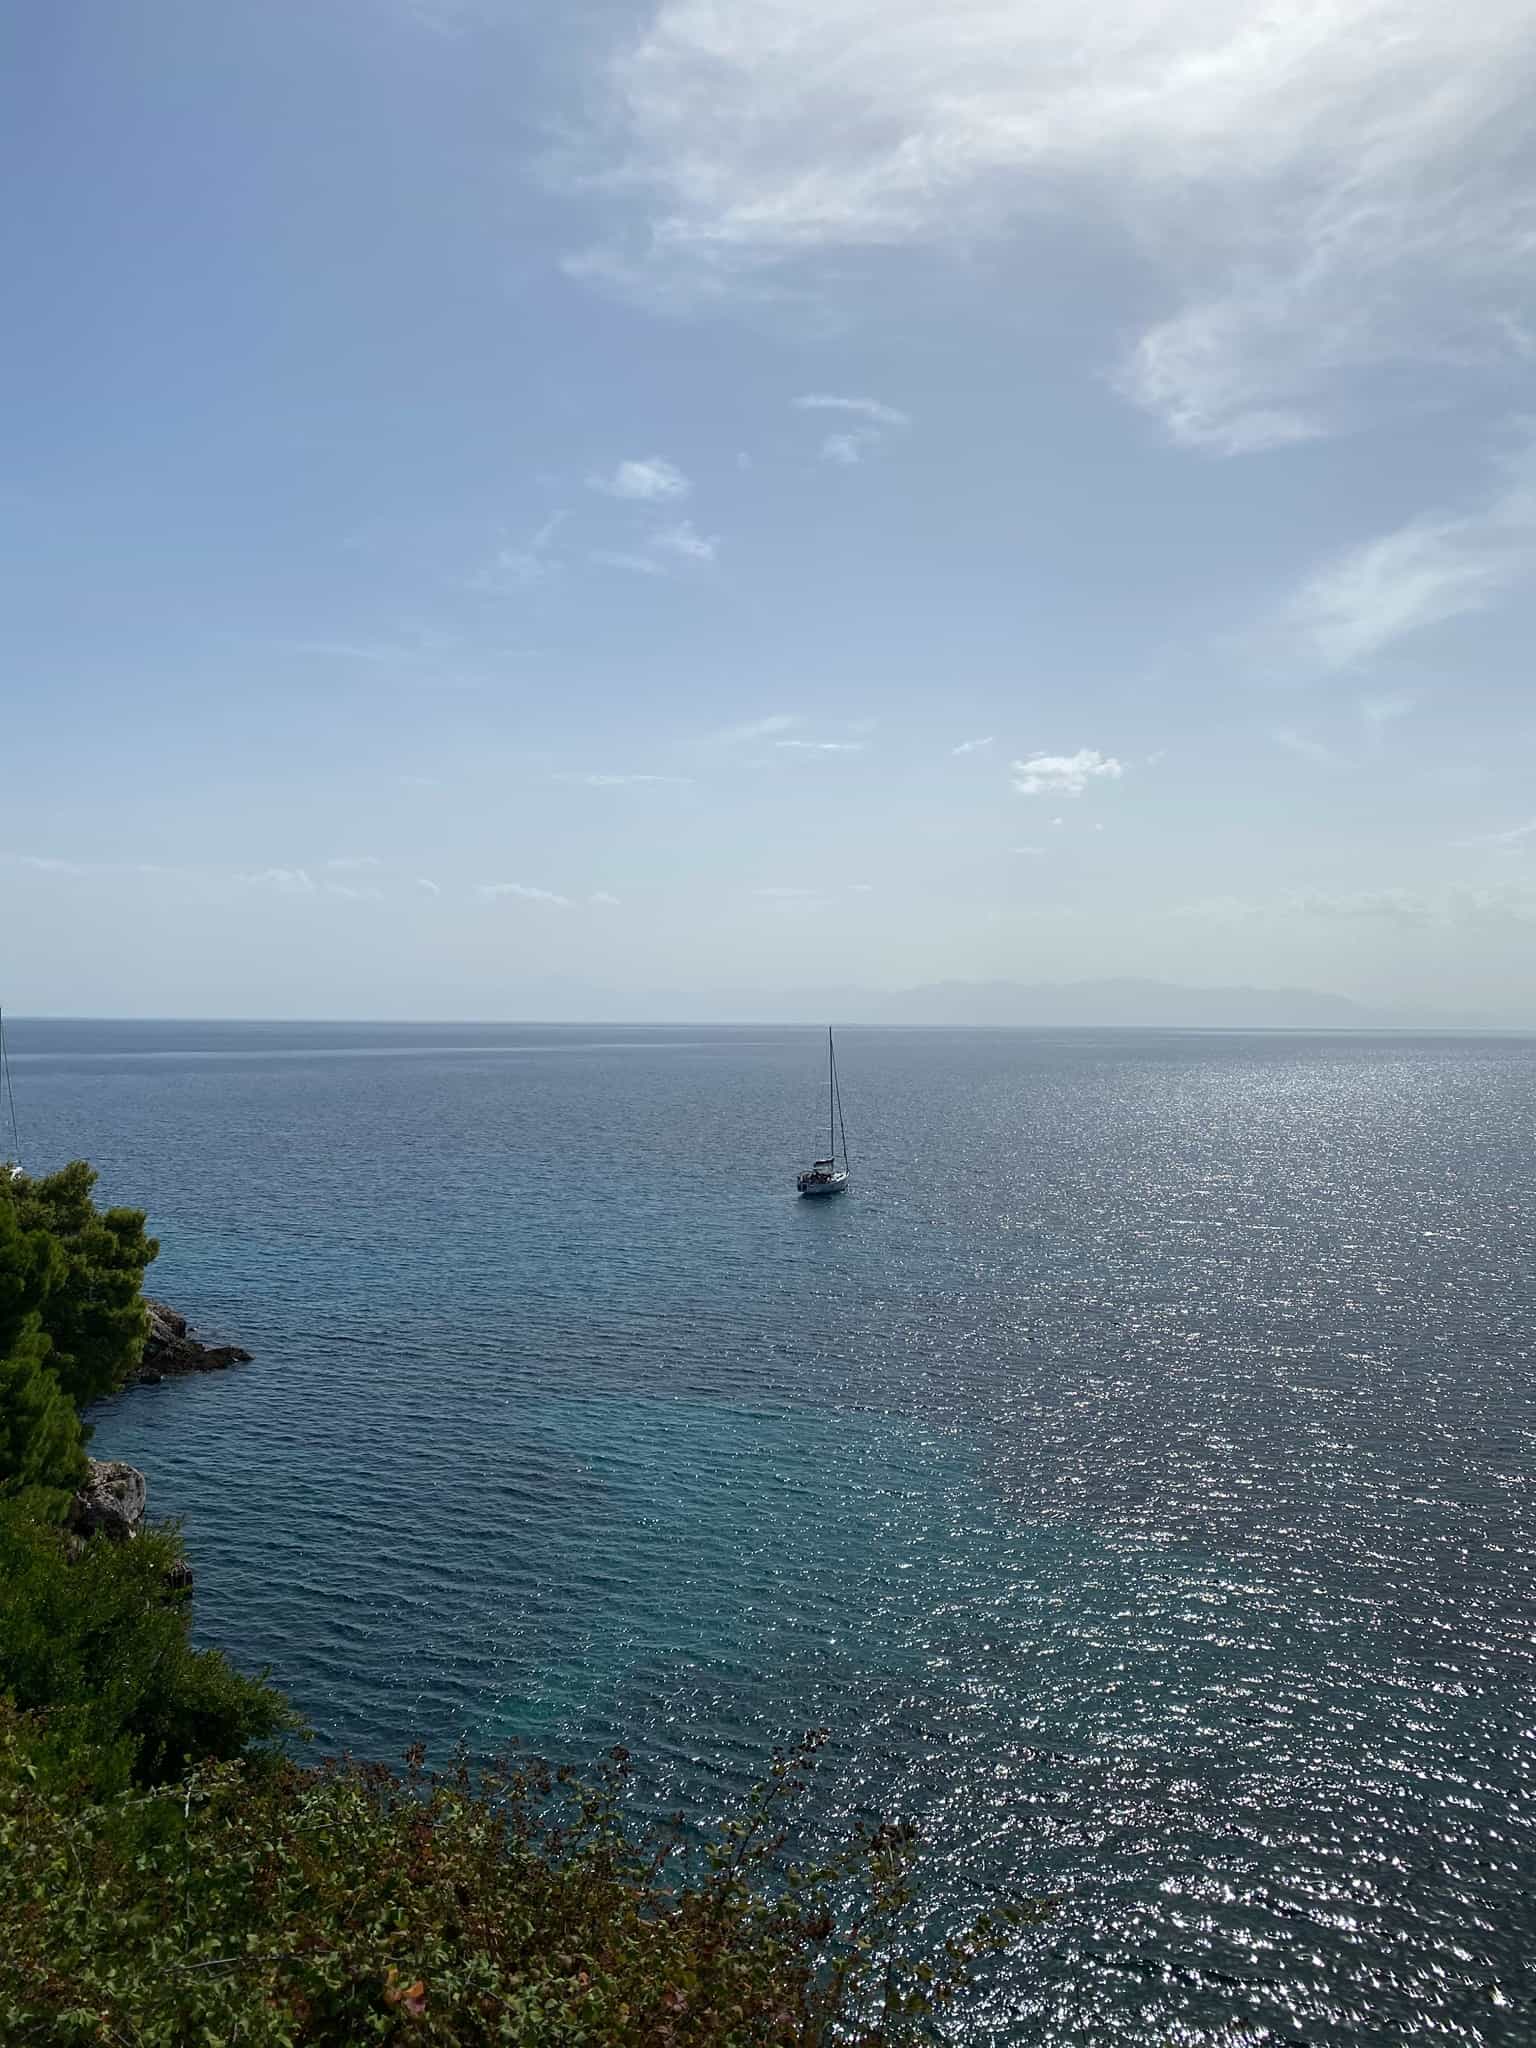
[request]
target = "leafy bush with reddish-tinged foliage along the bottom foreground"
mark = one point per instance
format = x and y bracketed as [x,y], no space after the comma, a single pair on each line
[355,1906]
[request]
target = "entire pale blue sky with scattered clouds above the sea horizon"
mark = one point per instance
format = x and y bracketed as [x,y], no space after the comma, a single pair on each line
[527,511]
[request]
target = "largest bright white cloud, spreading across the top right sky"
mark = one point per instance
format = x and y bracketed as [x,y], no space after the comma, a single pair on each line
[1314,189]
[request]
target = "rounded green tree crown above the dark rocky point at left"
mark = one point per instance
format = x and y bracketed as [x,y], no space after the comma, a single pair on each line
[93,1310]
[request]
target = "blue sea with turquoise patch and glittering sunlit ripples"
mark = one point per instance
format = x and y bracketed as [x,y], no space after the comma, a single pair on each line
[1136,1471]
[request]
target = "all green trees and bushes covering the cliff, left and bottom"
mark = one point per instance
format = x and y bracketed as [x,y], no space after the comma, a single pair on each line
[169,1875]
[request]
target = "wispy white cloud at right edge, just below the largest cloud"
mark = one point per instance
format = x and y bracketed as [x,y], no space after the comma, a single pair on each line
[1420,577]
